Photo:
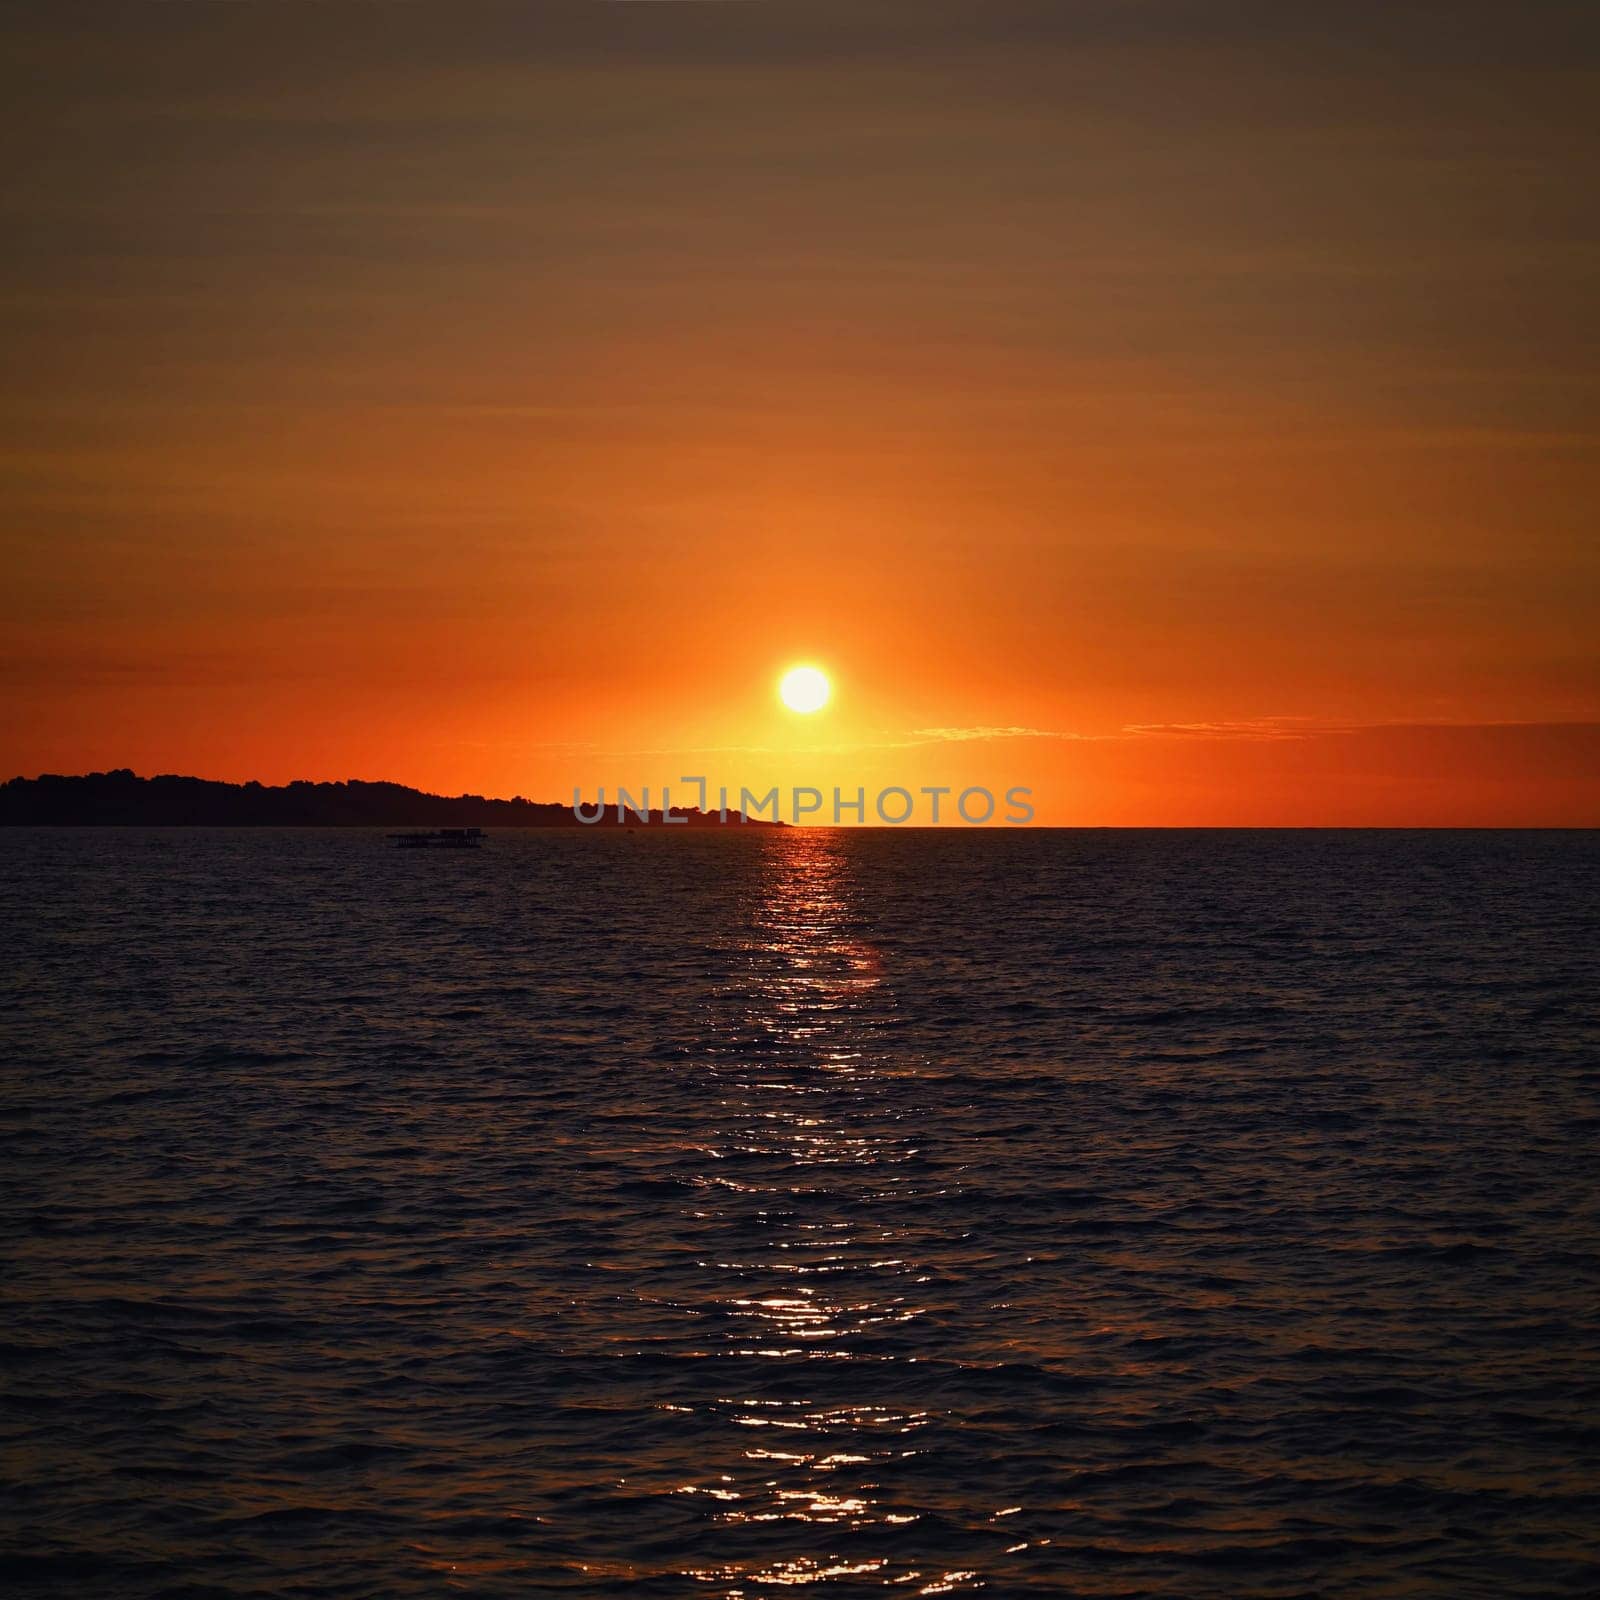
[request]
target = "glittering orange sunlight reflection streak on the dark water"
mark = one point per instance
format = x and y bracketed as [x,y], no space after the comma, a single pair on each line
[833,1289]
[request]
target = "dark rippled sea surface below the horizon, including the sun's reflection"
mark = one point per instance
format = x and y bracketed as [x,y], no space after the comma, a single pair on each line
[668,1214]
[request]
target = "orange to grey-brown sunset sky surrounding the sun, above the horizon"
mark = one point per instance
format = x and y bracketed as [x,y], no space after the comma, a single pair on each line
[1186,410]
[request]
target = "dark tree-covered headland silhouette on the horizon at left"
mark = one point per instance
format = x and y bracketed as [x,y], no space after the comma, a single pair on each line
[124,799]
